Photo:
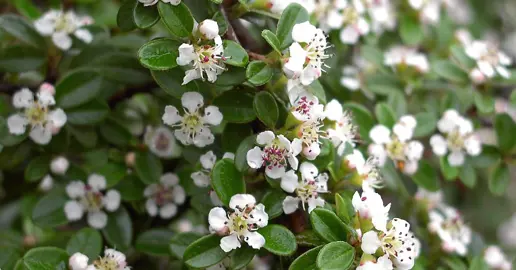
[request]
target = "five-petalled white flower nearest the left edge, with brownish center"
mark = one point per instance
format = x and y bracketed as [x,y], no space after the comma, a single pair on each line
[43,121]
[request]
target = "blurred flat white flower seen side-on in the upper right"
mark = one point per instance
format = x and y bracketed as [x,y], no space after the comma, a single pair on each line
[400,55]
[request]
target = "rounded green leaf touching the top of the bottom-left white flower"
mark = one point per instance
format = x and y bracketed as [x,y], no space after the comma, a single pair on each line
[87,241]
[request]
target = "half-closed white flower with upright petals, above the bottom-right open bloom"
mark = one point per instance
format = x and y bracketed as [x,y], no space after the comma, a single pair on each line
[369,206]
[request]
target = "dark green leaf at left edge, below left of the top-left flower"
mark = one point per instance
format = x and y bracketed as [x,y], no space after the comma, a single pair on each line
[20,58]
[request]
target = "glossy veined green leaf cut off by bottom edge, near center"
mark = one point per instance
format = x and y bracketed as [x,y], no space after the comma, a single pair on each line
[336,256]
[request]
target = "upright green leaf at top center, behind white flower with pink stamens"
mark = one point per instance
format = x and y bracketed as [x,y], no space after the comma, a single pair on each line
[291,16]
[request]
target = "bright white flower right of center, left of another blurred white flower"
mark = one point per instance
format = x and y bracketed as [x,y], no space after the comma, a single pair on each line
[398,146]
